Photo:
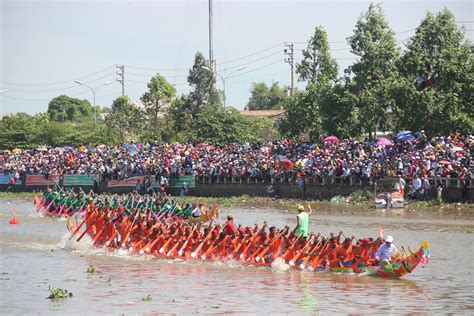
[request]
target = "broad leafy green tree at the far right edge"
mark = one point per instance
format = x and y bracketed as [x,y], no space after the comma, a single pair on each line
[435,91]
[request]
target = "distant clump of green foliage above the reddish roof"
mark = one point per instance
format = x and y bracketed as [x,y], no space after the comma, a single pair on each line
[266,98]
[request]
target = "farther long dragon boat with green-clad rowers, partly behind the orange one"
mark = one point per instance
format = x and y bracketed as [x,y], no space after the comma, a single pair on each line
[64,203]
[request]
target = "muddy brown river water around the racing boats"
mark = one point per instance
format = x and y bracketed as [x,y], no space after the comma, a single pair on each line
[36,253]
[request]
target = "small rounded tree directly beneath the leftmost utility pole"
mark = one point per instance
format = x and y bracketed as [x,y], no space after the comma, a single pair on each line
[124,119]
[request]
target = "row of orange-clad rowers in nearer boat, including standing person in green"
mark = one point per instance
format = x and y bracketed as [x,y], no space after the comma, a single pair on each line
[175,238]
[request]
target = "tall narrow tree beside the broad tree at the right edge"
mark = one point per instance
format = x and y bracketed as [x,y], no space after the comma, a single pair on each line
[371,76]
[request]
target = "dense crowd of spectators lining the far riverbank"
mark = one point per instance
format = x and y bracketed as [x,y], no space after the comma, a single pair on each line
[406,155]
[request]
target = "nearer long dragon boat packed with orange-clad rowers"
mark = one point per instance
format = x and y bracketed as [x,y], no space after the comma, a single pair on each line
[255,246]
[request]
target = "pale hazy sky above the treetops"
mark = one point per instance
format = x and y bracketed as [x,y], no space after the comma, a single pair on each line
[46,45]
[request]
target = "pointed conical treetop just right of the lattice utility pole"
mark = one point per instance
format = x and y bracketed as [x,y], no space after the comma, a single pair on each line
[317,64]
